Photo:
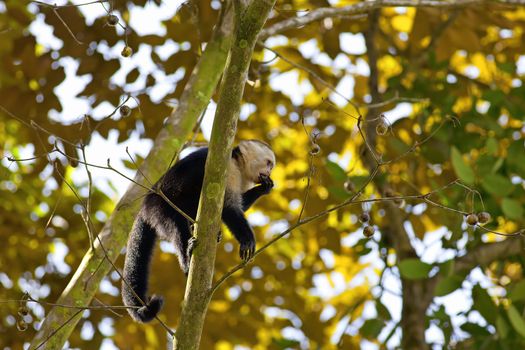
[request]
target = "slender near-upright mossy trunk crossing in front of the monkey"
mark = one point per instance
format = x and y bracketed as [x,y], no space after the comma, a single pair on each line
[248,23]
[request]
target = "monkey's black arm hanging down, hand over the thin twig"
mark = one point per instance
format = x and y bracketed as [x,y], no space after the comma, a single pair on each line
[237,223]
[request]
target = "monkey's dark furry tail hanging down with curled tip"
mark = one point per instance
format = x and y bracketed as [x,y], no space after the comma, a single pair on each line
[140,248]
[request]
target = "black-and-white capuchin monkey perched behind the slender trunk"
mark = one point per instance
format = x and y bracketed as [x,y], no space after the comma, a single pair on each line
[248,178]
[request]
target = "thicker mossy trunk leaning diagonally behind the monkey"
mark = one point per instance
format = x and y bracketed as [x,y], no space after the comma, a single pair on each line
[96,263]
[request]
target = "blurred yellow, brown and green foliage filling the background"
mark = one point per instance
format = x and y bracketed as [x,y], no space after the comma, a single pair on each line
[451,91]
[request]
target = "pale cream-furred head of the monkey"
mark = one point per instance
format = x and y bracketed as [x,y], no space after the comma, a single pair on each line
[258,159]
